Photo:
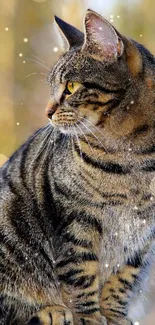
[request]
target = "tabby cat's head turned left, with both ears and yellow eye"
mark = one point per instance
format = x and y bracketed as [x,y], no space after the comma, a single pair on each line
[103,80]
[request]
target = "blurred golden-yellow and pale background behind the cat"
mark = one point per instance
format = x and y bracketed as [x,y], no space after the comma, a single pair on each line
[29,48]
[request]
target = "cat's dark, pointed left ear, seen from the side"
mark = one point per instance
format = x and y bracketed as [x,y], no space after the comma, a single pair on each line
[70,36]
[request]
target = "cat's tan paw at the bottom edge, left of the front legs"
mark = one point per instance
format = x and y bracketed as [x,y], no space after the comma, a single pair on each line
[53,315]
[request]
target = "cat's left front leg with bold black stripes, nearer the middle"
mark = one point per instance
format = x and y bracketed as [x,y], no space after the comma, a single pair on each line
[78,269]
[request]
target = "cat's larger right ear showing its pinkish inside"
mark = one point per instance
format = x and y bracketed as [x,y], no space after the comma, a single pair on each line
[101,39]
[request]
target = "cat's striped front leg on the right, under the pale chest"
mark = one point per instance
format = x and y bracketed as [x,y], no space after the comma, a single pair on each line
[116,295]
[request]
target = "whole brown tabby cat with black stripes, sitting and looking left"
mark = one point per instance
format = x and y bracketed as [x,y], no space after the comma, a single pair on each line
[77,199]
